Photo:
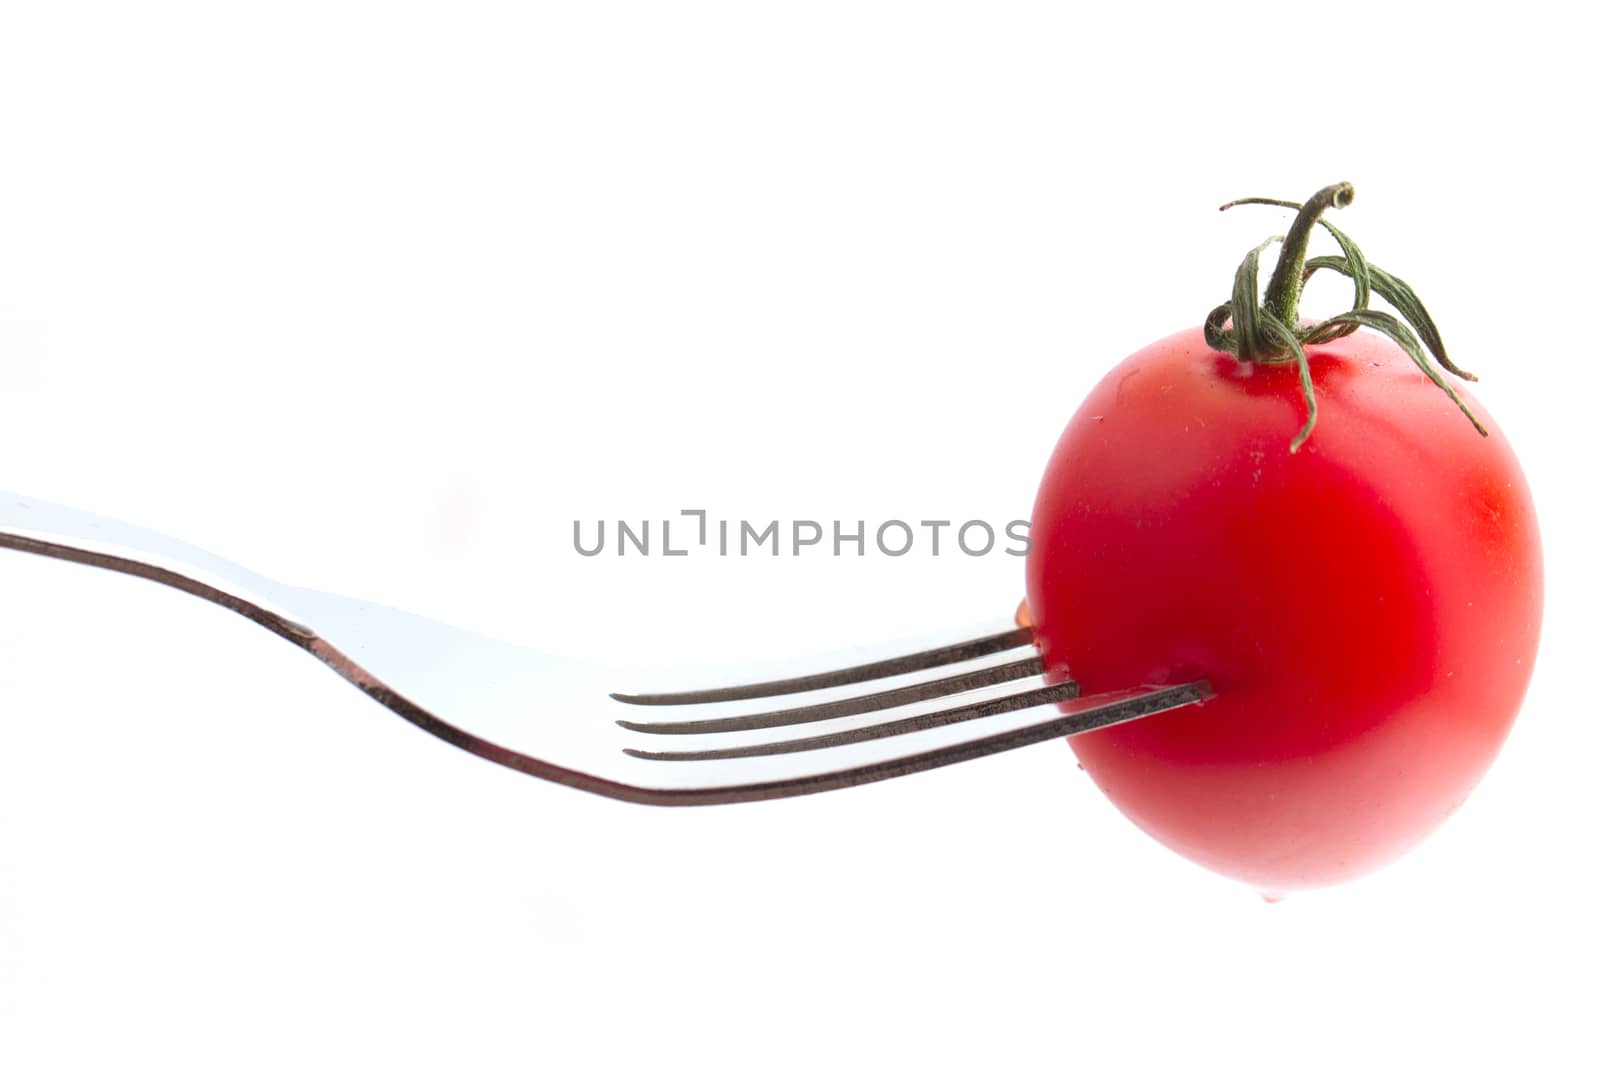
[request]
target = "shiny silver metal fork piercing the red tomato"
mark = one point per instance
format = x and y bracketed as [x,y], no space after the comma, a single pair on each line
[815,729]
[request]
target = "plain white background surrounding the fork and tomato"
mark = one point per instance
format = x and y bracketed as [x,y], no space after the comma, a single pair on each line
[380,298]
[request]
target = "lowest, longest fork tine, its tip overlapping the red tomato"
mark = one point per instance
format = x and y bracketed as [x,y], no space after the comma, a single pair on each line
[1118,708]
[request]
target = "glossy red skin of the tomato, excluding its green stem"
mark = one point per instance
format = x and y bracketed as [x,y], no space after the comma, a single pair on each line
[1367,609]
